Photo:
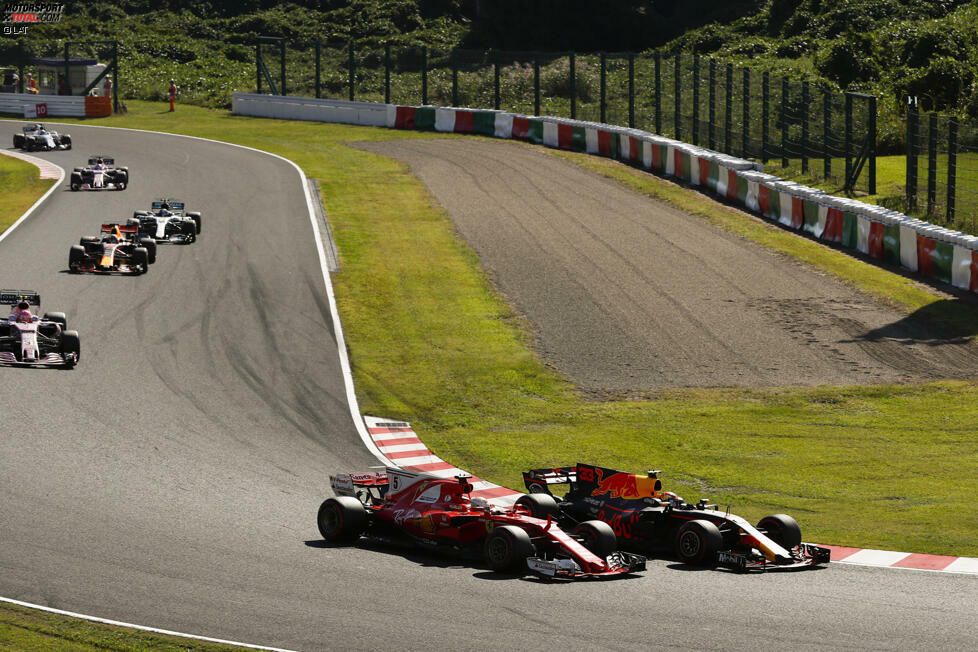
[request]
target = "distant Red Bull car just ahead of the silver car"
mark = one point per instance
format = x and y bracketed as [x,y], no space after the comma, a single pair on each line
[116,251]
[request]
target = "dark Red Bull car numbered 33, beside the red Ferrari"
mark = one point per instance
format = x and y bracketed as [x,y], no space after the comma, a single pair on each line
[645,517]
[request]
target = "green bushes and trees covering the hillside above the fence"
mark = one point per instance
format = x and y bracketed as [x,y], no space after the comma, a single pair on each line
[892,48]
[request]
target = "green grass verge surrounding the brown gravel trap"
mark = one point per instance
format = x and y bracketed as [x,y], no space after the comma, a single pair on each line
[890,467]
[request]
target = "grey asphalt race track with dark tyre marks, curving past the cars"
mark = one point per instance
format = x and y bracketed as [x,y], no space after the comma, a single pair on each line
[172,478]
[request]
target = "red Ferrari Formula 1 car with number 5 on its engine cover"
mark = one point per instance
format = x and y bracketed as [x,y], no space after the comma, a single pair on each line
[436,512]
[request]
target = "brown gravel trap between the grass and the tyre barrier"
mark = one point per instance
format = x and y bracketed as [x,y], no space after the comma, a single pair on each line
[629,294]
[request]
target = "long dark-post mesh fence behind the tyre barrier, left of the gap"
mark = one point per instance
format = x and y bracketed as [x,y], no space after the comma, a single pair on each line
[803,128]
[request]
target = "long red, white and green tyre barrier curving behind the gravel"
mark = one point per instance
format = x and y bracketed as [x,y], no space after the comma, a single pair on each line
[889,236]
